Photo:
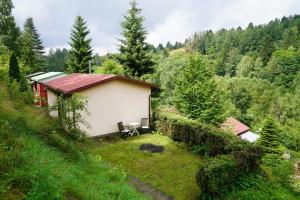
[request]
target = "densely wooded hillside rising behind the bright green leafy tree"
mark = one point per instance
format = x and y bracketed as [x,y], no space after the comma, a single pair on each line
[258,72]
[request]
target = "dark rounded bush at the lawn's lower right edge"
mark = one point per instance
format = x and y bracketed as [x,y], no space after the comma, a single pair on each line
[219,175]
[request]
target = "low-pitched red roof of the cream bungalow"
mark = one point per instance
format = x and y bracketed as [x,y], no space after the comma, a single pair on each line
[77,82]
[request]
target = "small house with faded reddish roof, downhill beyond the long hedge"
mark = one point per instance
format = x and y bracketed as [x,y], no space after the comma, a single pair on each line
[239,129]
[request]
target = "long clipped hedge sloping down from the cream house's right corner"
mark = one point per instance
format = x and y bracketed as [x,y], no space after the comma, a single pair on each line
[206,139]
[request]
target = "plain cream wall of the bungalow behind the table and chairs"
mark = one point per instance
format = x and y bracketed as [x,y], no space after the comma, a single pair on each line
[111,102]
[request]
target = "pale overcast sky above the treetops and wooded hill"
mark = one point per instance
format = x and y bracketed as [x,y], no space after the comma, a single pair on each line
[166,20]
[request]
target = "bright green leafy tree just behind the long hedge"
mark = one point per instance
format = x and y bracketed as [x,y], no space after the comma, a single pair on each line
[196,92]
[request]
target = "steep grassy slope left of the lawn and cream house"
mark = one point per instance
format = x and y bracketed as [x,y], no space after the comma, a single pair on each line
[31,169]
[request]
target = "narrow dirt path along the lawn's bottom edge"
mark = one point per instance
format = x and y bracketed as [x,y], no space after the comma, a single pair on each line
[149,190]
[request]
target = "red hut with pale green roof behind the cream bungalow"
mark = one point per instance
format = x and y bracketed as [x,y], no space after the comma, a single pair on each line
[39,89]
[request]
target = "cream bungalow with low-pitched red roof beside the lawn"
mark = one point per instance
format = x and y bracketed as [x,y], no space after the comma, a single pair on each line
[110,99]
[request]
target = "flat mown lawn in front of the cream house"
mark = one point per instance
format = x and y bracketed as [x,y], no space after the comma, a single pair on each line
[172,171]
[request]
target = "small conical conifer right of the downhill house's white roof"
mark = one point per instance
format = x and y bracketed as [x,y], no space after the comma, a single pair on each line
[270,134]
